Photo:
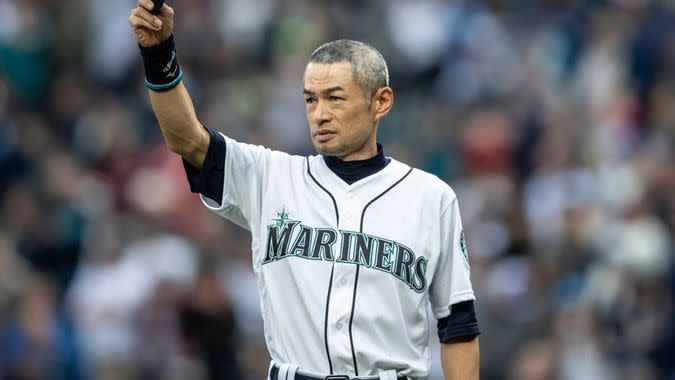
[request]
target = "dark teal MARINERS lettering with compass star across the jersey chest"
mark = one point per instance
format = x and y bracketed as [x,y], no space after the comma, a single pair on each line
[287,237]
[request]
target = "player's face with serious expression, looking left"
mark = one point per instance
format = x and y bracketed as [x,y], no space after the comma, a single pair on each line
[340,121]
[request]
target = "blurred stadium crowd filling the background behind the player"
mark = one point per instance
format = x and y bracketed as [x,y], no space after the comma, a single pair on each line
[554,121]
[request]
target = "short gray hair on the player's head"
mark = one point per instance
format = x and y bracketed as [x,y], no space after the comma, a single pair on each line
[369,70]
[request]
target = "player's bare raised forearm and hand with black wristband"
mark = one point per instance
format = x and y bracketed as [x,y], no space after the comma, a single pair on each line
[182,131]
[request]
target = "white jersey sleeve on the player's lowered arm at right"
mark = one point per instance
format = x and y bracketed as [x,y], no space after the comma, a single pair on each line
[451,283]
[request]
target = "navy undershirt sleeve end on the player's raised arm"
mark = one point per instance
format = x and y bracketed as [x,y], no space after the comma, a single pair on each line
[209,180]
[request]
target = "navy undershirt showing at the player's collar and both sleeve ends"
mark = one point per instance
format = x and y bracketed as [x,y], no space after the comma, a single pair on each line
[461,324]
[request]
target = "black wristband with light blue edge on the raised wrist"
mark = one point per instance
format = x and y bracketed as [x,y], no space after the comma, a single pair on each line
[162,70]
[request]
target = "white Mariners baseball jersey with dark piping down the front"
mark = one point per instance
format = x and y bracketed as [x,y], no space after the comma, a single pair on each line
[345,272]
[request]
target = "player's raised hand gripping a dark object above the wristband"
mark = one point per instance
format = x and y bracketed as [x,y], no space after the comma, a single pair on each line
[151,30]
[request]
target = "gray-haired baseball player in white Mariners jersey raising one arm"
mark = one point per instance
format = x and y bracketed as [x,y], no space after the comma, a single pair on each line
[349,246]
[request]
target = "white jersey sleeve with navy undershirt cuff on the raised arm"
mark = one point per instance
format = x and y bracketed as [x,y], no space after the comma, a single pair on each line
[231,180]
